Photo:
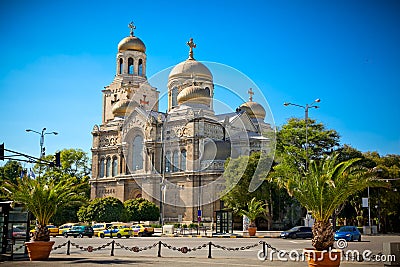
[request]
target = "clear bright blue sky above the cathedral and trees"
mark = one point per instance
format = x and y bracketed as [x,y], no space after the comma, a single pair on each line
[56,57]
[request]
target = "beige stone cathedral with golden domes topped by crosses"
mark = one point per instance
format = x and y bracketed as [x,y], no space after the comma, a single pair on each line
[174,158]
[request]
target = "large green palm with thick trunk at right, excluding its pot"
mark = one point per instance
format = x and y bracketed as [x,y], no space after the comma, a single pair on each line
[323,188]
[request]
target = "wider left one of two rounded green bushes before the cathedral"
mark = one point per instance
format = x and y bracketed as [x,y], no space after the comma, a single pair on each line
[106,209]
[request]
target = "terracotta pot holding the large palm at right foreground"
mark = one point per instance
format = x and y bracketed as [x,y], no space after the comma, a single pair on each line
[323,258]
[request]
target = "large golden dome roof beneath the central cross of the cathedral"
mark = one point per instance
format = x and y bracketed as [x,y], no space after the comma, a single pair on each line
[190,67]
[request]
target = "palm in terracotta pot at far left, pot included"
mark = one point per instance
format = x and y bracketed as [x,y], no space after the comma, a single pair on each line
[42,198]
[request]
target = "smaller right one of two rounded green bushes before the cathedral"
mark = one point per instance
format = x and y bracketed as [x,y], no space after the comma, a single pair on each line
[140,209]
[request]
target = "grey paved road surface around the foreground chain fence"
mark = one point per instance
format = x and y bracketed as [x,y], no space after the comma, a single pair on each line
[245,251]
